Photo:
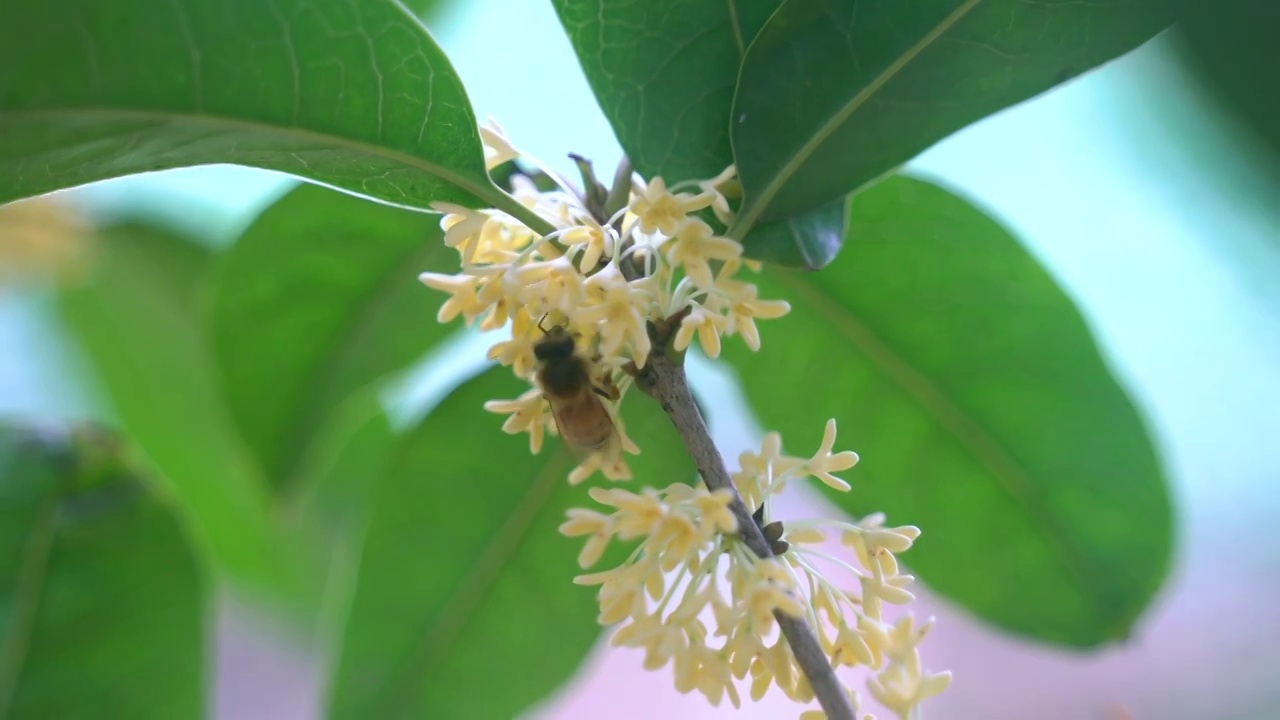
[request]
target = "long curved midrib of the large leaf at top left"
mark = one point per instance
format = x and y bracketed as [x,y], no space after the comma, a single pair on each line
[483,192]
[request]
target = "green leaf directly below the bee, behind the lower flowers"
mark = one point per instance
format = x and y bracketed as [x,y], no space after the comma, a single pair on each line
[465,604]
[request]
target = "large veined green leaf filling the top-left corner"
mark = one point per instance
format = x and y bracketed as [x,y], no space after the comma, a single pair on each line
[350,94]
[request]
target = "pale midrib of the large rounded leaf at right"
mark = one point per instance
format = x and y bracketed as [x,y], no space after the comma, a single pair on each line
[1011,477]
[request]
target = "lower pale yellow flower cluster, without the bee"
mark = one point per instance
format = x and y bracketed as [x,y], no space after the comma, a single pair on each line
[691,560]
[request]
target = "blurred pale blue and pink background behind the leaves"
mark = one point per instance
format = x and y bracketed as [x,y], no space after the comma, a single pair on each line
[1155,207]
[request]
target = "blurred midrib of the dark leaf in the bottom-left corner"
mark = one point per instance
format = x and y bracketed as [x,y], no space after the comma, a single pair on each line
[31,585]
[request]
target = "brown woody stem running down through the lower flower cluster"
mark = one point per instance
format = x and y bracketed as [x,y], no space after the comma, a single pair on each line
[666,382]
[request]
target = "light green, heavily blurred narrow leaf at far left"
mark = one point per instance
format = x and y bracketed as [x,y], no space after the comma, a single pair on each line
[139,320]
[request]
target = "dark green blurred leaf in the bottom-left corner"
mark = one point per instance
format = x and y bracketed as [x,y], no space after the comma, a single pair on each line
[102,600]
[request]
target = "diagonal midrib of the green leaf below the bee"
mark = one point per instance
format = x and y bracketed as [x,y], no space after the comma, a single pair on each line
[459,610]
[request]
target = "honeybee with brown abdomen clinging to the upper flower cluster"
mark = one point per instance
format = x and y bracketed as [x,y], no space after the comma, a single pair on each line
[565,379]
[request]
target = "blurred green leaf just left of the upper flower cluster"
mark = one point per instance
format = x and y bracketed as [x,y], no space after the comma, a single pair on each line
[318,299]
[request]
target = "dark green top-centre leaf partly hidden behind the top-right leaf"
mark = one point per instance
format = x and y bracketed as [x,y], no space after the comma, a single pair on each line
[673,122]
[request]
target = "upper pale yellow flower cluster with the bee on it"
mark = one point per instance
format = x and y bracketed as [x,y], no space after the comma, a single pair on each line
[604,281]
